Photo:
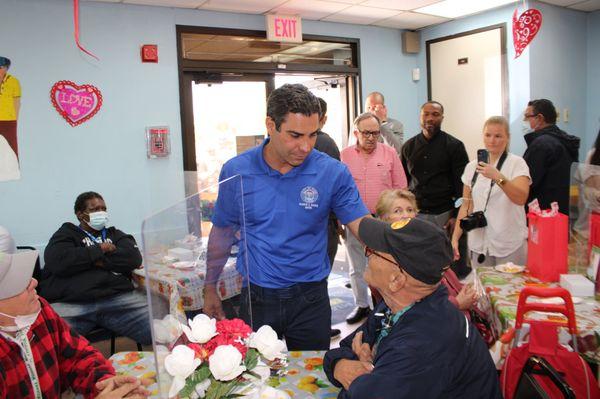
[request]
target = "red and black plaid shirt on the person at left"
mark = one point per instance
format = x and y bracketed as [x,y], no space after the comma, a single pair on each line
[63,359]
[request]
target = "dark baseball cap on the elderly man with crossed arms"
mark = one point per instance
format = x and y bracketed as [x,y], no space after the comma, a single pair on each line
[421,248]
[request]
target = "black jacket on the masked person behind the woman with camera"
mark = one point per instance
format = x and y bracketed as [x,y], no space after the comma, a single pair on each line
[550,153]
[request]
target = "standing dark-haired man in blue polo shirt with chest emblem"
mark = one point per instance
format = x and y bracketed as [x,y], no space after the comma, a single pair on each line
[288,192]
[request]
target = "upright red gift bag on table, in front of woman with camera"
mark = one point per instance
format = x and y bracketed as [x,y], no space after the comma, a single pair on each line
[547,246]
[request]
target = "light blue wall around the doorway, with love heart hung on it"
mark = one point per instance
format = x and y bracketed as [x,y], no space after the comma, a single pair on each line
[107,154]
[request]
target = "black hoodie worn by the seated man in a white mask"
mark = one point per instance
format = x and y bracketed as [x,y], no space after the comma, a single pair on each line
[77,270]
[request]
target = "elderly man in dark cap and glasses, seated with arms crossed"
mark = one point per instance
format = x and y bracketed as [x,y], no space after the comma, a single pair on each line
[416,344]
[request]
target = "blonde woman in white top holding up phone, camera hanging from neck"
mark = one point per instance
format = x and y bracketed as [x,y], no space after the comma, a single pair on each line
[494,194]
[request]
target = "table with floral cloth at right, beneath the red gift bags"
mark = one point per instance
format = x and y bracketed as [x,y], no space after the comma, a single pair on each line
[503,290]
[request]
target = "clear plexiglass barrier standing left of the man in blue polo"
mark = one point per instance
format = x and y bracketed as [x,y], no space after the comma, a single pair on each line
[189,249]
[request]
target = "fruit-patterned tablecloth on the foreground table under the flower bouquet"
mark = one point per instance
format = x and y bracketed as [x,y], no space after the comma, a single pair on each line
[304,378]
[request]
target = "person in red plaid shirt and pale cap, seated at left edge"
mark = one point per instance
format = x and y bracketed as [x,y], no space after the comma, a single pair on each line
[40,356]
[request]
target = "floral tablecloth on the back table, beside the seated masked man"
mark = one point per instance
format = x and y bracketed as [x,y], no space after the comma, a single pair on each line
[185,288]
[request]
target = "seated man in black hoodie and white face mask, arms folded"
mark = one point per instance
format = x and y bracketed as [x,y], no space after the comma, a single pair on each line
[87,275]
